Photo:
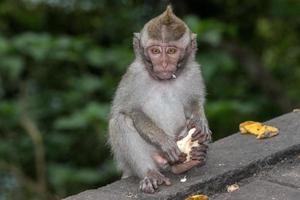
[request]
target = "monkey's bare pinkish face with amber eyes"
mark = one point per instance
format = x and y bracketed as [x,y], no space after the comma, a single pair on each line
[164,58]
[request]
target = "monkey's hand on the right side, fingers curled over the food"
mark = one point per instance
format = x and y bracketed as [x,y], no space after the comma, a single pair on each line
[202,133]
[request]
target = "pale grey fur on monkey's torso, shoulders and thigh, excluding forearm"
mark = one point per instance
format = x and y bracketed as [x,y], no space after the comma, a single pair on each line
[166,103]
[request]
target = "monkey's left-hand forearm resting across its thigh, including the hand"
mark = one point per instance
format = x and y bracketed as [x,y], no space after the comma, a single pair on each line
[155,135]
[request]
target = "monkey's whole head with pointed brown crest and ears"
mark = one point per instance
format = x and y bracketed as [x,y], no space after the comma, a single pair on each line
[165,44]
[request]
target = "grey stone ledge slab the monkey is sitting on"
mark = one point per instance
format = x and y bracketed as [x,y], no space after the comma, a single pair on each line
[229,160]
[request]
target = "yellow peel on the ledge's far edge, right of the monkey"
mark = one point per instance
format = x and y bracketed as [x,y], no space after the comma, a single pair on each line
[258,129]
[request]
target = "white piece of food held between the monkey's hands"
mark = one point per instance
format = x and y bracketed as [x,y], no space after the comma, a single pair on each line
[185,144]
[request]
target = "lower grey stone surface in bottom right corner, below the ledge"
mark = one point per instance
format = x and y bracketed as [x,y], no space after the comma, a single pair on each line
[280,181]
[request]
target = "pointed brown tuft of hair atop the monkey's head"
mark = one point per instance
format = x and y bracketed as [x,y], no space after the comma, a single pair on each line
[166,26]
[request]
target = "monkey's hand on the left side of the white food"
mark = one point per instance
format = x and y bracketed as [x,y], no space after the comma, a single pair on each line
[171,150]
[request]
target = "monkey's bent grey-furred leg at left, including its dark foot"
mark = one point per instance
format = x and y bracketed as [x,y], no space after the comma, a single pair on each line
[133,152]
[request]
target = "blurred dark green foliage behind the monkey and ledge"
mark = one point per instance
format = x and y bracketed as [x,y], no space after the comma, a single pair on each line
[61,61]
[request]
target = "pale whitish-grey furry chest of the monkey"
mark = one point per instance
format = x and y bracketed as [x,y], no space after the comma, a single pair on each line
[166,110]
